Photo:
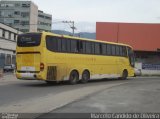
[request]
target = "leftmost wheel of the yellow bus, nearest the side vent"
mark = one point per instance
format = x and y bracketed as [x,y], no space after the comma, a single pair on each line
[73,79]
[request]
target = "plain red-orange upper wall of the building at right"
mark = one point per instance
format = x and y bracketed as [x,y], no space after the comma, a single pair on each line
[143,37]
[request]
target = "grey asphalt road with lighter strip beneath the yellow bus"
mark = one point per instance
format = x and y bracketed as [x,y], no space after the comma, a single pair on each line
[36,97]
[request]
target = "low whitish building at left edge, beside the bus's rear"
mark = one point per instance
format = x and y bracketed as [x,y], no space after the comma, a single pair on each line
[8,36]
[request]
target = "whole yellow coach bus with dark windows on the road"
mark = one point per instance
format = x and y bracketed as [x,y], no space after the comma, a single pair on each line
[51,57]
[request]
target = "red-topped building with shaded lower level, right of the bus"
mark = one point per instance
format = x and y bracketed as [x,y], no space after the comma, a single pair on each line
[143,37]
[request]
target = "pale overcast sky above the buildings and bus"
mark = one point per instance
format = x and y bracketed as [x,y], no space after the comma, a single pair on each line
[85,13]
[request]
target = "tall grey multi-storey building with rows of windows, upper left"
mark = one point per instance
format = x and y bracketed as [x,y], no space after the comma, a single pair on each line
[22,15]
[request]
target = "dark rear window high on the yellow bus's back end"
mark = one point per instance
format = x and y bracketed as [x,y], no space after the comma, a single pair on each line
[29,40]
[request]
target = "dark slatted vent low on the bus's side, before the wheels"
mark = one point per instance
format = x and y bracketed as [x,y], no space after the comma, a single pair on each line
[51,73]
